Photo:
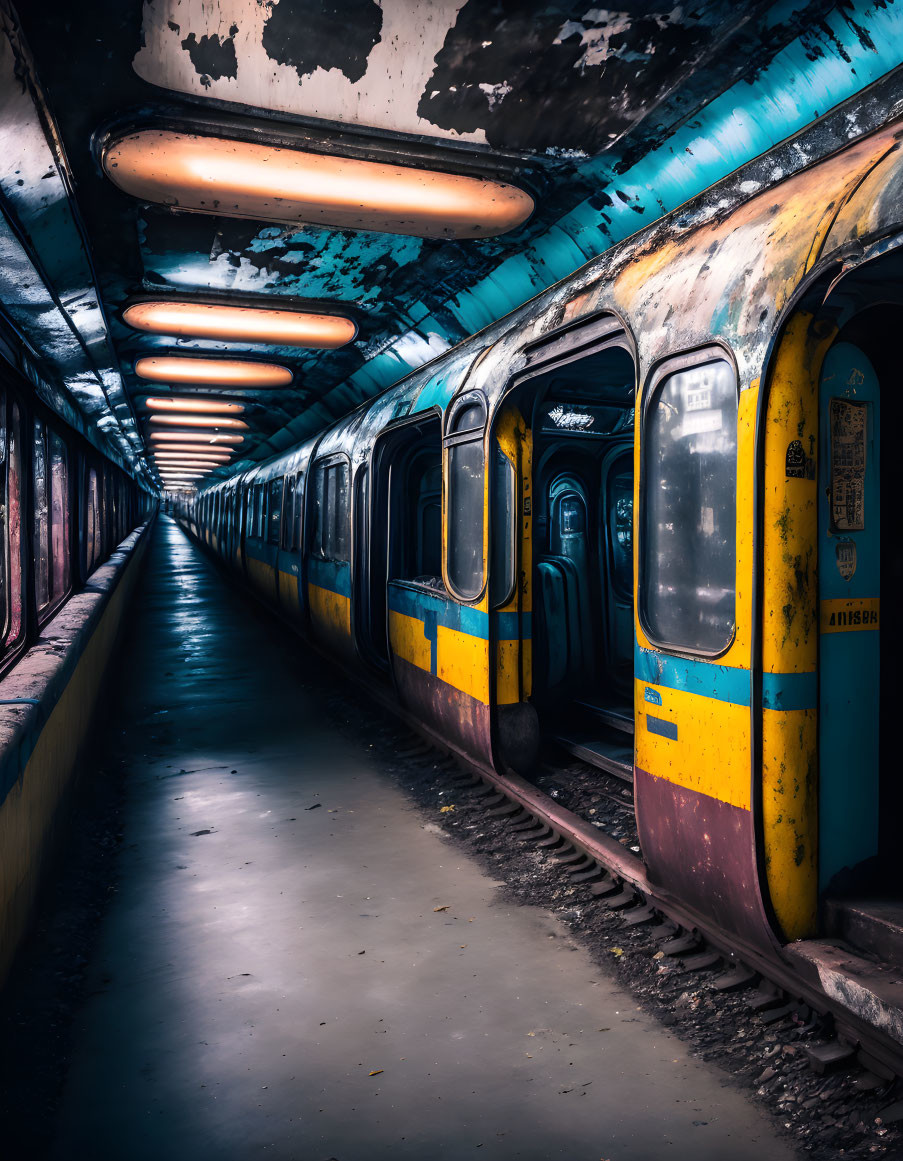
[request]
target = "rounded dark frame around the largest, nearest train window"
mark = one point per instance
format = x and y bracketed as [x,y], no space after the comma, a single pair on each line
[716,351]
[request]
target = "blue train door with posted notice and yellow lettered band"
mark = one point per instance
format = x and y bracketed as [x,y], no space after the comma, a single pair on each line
[849,601]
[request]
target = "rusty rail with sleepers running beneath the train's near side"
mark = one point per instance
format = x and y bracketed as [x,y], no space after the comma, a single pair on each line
[554,817]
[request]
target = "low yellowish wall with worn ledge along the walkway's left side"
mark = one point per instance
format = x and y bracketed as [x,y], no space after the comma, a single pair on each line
[44,740]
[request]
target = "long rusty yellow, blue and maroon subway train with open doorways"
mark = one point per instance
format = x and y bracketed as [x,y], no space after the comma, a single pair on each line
[640,520]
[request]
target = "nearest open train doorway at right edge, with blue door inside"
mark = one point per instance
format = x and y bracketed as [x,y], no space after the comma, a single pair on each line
[861,554]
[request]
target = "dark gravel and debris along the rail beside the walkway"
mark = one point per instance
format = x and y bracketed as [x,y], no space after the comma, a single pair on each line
[843,1115]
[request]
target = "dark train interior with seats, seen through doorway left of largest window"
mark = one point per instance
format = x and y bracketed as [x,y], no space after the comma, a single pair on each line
[583,487]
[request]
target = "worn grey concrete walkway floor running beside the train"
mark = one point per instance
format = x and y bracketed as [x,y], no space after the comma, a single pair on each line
[298,968]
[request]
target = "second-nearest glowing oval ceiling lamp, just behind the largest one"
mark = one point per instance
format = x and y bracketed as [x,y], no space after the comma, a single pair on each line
[241,324]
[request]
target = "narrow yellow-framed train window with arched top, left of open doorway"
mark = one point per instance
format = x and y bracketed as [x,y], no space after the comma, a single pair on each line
[465,514]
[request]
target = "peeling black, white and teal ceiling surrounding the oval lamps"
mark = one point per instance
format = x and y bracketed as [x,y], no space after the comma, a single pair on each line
[582,107]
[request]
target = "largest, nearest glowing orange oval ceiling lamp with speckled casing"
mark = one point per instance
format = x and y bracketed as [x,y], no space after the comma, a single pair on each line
[250,181]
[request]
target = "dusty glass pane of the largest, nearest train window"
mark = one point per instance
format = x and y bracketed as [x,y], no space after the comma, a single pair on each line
[691,508]
